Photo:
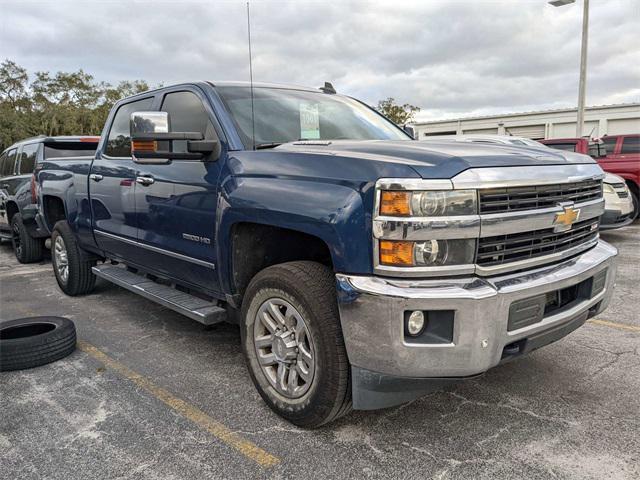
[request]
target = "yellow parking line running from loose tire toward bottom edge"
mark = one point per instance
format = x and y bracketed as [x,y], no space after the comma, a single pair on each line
[247,448]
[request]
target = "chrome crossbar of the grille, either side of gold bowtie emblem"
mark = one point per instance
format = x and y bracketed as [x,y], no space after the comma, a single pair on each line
[494,224]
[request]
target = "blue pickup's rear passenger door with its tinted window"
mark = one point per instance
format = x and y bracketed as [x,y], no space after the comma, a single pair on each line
[112,186]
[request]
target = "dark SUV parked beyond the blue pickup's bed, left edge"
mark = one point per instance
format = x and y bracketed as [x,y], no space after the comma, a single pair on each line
[18,207]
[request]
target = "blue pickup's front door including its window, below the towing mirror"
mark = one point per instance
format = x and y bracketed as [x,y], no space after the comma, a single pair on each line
[176,202]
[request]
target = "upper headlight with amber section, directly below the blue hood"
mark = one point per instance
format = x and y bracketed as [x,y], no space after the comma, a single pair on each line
[430,203]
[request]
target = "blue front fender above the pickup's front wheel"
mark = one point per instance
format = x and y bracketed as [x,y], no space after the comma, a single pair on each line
[334,213]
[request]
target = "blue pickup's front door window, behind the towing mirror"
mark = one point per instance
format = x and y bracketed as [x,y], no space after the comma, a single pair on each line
[187,114]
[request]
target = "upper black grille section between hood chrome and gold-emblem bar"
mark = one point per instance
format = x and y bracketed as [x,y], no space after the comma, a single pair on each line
[498,200]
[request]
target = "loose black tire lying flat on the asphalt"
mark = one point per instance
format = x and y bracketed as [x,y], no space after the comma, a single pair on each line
[31,342]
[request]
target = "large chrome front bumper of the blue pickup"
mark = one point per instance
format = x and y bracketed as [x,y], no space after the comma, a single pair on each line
[372,313]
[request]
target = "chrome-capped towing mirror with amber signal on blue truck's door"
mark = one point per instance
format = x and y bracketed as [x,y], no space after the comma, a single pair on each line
[150,131]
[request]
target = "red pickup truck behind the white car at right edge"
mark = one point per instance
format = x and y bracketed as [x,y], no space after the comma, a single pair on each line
[620,155]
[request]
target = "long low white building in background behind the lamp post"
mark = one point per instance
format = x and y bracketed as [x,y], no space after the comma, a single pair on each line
[598,121]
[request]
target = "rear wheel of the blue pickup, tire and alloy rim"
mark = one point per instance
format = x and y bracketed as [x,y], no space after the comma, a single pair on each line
[78,279]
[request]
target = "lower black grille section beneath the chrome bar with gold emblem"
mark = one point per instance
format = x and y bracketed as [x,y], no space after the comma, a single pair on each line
[503,249]
